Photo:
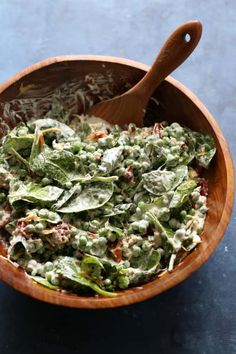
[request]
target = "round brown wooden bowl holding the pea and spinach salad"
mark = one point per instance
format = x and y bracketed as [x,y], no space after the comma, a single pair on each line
[176,103]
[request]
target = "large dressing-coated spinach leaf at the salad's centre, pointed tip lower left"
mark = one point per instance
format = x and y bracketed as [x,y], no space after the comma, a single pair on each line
[93,196]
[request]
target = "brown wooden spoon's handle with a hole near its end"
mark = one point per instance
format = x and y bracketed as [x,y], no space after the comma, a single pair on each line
[174,52]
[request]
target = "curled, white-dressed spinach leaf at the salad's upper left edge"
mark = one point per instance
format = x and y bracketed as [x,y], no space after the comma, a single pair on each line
[45,123]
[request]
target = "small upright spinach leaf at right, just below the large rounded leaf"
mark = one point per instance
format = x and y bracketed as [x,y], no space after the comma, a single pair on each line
[182,193]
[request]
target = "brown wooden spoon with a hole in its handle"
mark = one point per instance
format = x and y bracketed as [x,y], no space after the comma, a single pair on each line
[130,106]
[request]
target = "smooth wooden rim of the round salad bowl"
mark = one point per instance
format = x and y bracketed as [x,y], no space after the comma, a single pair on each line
[19,280]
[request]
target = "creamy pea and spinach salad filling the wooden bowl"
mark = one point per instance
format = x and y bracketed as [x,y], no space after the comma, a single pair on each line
[90,208]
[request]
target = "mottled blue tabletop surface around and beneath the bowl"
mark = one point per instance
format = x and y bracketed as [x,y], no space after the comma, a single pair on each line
[199,315]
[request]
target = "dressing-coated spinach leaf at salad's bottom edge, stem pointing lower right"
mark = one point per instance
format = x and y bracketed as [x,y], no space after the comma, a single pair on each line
[67,268]
